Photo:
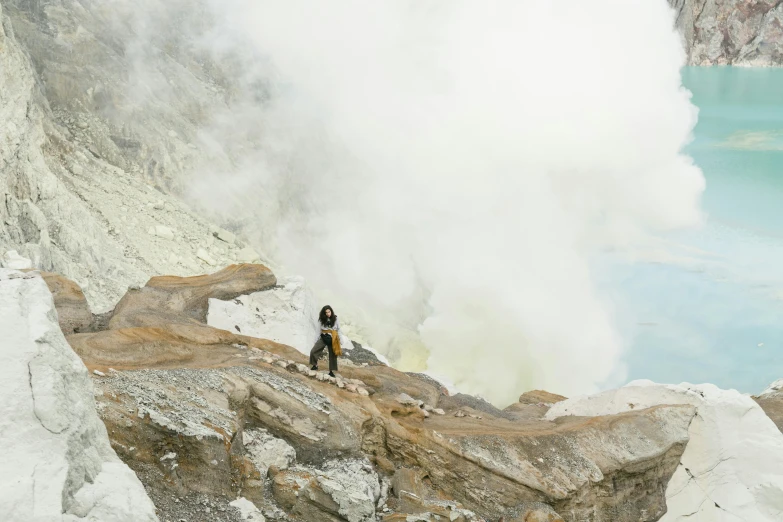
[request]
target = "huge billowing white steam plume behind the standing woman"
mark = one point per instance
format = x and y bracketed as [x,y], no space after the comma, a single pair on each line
[454,167]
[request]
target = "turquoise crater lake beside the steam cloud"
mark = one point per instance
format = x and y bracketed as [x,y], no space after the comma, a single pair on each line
[719,316]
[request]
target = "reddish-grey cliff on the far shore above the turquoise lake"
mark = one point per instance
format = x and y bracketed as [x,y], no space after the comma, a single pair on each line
[731,32]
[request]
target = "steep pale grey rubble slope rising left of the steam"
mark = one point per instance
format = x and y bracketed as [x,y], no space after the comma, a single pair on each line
[84,191]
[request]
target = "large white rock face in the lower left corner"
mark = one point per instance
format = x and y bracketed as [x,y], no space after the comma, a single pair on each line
[57,461]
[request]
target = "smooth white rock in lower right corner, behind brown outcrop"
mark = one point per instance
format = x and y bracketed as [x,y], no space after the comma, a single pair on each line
[734,457]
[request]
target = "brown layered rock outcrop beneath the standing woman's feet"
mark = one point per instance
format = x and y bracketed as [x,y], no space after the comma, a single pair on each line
[178,398]
